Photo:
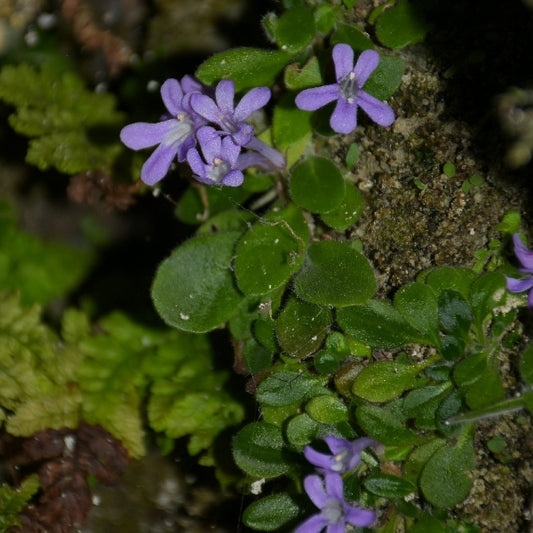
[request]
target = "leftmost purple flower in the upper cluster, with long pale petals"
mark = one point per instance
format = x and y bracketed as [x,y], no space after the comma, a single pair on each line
[174,134]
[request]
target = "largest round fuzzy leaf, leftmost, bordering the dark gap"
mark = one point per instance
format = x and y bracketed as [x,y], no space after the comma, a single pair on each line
[193,289]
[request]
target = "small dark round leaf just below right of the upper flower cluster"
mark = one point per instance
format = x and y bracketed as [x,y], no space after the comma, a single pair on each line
[317,185]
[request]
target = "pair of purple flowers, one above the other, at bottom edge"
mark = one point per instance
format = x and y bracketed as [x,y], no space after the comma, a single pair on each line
[335,513]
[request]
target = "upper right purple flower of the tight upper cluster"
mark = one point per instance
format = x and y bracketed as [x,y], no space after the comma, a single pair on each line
[228,118]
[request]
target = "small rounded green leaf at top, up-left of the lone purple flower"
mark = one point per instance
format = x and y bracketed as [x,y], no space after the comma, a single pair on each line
[295,29]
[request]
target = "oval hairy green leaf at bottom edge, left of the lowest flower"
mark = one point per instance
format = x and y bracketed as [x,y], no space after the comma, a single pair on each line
[271,513]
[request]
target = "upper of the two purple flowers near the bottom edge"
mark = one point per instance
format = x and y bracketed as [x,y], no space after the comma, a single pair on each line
[345,454]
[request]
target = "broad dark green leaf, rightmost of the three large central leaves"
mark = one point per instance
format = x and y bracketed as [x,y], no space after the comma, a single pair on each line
[333,273]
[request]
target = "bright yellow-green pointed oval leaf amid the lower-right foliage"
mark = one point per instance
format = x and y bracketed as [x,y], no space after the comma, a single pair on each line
[384,380]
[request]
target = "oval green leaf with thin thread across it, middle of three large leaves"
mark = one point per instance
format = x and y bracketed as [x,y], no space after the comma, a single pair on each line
[271,251]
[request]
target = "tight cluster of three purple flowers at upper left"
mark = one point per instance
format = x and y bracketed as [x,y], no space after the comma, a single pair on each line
[209,133]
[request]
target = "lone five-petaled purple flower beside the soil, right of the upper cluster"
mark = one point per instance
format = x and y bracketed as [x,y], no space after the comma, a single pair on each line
[348,91]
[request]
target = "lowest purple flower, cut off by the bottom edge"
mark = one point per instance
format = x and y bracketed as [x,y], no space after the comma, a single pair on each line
[335,513]
